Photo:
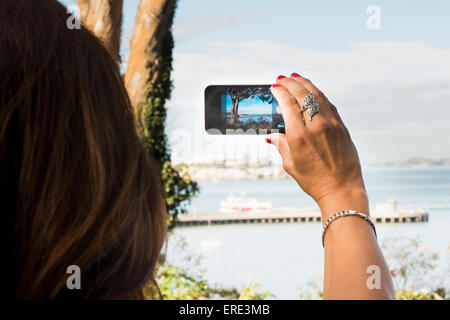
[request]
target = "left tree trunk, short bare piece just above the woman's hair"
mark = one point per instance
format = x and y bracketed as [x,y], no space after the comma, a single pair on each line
[104,19]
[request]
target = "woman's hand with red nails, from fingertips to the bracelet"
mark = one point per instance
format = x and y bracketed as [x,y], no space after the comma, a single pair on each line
[319,154]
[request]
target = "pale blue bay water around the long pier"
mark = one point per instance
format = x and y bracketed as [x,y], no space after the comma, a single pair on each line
[280,257]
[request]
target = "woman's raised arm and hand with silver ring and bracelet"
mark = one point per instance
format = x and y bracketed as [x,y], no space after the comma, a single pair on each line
[318,153]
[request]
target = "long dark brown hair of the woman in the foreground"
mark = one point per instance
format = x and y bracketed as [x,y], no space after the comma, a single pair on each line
[77,187]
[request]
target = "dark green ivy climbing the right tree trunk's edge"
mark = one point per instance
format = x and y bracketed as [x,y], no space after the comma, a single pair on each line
[151,116]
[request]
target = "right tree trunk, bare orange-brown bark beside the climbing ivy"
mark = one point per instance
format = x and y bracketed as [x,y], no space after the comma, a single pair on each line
[153,21]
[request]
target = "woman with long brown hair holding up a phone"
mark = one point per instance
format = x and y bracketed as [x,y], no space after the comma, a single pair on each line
[78,188]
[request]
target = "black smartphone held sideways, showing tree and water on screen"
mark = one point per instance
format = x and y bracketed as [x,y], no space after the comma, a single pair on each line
[242,109]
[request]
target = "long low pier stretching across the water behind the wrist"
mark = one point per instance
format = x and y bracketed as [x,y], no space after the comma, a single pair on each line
[410,216]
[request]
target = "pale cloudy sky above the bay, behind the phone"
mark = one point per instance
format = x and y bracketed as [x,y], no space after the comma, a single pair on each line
[387,71]
